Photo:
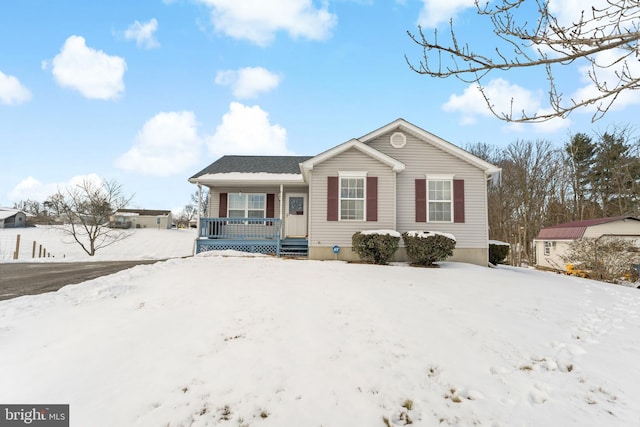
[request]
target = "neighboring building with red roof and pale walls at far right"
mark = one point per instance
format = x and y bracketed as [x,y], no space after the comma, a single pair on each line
[552,243]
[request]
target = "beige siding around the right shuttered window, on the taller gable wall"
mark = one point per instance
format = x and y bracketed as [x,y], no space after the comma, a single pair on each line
[421,158]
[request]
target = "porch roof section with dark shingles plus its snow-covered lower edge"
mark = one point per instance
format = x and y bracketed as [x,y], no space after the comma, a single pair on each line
[243,168]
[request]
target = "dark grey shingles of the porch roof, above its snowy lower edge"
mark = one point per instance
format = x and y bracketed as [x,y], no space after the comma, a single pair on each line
[254,164]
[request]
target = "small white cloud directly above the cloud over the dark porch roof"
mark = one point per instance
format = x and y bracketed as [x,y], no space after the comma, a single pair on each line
[248,82]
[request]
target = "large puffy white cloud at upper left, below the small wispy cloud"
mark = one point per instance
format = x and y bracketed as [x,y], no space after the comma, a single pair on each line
[91,72]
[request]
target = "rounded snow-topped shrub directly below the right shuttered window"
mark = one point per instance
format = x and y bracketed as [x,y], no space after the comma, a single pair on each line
[427,248]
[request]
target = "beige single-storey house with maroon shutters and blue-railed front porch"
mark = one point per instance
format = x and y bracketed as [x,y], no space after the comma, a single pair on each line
[398,177]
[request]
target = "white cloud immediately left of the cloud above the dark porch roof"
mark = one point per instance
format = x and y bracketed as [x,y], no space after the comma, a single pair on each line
[167,144]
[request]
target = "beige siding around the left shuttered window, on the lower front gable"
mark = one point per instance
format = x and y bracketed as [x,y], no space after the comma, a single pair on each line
[329,233]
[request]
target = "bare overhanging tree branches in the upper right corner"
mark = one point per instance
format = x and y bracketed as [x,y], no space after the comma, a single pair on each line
[546,43]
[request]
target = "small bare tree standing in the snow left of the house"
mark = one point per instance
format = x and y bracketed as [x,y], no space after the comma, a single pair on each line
[87,207]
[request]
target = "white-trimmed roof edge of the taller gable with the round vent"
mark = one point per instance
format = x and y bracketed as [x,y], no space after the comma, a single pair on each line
[438,142]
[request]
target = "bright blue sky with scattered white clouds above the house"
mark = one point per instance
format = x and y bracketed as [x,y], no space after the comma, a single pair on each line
[149,92]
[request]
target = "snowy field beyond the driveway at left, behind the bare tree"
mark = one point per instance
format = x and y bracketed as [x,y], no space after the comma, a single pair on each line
[142,244]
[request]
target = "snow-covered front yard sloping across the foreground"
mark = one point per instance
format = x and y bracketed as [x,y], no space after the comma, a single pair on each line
[226,340]
